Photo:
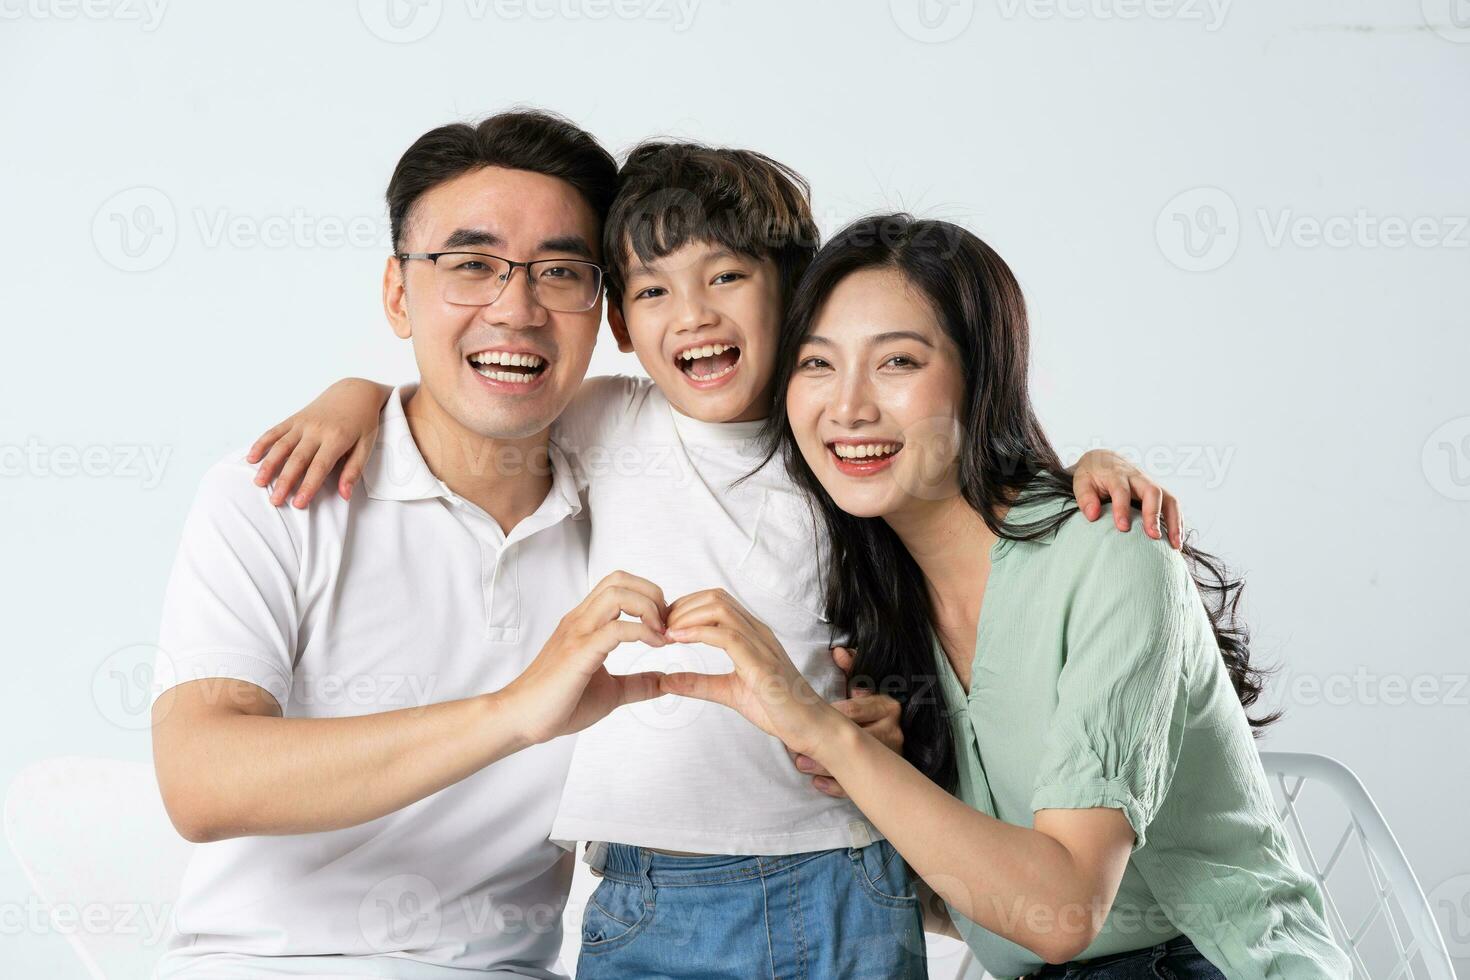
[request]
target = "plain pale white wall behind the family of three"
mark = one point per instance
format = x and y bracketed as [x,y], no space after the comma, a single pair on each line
[1306,399]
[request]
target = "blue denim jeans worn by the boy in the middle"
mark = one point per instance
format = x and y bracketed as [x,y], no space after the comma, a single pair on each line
[849,913]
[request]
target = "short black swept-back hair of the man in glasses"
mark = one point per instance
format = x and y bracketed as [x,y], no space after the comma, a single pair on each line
[518,140]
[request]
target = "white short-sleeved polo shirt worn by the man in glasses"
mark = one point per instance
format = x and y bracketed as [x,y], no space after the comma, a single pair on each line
[405,596]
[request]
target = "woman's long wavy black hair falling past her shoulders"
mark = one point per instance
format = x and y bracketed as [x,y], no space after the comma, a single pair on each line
[875,591]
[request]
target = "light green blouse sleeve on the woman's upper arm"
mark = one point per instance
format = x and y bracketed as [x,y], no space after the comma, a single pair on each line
[1122,693]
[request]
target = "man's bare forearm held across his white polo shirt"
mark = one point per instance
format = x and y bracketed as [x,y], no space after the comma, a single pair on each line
[246,775]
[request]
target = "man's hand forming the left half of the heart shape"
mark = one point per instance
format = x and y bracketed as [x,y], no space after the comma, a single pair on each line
[567,688]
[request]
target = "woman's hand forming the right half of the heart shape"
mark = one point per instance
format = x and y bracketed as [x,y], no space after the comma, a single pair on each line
[765,687]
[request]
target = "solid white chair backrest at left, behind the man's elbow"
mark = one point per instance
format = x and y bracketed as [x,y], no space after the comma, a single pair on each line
[98,847]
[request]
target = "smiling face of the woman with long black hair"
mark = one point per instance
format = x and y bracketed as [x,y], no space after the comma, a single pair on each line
[877,397]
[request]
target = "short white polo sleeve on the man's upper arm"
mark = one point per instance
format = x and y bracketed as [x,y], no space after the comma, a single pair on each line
[232,603]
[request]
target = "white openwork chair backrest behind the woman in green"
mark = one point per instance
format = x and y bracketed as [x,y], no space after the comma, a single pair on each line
[1377,910]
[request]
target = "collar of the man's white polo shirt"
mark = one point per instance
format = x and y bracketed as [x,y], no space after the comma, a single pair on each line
[398,471]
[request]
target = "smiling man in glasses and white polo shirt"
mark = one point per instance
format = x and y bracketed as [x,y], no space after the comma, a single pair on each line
[359,703]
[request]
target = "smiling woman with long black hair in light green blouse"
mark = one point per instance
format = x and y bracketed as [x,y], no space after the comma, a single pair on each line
[1068,685]
